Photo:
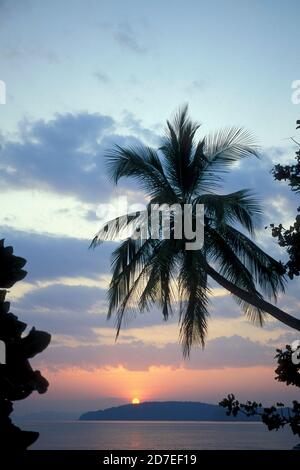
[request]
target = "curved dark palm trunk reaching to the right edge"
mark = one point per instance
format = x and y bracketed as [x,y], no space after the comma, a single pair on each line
[262,304]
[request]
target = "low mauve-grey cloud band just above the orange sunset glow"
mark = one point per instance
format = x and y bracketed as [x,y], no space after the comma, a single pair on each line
[220,353]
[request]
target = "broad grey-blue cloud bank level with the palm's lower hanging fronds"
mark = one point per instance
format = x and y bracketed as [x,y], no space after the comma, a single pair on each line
[68,281]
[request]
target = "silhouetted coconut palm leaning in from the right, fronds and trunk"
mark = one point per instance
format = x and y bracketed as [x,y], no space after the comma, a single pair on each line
[163,271]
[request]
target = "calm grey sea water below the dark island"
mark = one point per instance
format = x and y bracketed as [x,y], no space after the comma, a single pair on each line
[158,435]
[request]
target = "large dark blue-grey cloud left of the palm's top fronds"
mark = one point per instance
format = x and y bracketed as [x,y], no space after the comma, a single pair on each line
[65,155]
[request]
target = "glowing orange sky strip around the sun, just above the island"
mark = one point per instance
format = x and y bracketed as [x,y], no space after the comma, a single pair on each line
[166,383]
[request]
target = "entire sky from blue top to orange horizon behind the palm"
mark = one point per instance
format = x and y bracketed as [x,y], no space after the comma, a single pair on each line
[81,76]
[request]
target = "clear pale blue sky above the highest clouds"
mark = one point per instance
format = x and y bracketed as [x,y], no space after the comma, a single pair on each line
[233,61]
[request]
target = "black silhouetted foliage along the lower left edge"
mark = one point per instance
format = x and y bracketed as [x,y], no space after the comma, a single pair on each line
[17,378]
